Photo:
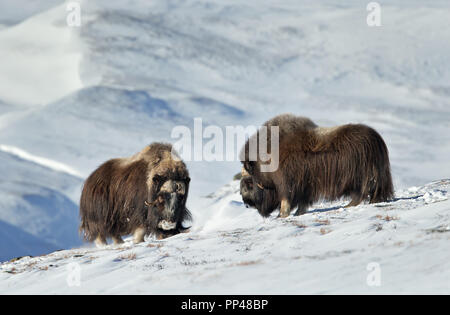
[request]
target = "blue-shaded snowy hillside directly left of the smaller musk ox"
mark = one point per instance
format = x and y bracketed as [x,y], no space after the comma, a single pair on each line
[36,199]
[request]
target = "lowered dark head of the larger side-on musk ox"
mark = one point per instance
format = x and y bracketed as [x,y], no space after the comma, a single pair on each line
[254,195]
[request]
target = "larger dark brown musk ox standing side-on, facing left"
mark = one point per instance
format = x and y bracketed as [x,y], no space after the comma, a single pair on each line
[316,163]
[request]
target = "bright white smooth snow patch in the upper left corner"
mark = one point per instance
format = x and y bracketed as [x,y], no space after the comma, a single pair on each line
[40,46]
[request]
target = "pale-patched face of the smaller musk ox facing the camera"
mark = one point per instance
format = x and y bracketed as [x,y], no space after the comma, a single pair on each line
[169,205]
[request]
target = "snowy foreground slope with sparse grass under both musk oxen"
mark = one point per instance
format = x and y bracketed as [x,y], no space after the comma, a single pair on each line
[326,250]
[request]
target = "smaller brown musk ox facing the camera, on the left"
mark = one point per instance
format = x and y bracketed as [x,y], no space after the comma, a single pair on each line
[140,195]
